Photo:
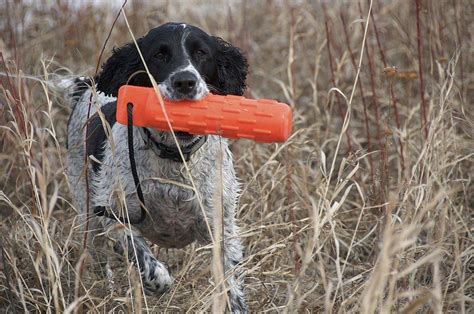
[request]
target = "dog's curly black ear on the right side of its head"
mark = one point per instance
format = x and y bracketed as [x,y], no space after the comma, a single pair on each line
[232,68]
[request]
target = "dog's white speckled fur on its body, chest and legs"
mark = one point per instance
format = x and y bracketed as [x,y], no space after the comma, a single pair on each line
[174,218]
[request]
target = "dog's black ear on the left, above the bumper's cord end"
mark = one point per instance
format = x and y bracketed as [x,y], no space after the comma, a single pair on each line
[116,71]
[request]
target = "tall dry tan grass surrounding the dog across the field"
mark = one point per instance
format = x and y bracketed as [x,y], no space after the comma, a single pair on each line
[371,215]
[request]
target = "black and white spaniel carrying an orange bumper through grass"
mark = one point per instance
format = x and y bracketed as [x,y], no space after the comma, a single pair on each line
[187,63]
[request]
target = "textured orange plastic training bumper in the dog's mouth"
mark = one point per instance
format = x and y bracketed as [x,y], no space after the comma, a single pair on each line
[229,116]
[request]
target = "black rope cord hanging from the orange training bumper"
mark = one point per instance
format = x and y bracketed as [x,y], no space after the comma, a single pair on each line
[100,210]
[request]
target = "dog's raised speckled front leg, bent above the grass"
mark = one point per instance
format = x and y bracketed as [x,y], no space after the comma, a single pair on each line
[155,277]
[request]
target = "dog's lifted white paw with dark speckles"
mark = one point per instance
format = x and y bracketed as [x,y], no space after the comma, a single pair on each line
[156,278]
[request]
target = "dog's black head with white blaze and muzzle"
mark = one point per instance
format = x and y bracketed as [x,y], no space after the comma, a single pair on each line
[185,61]
